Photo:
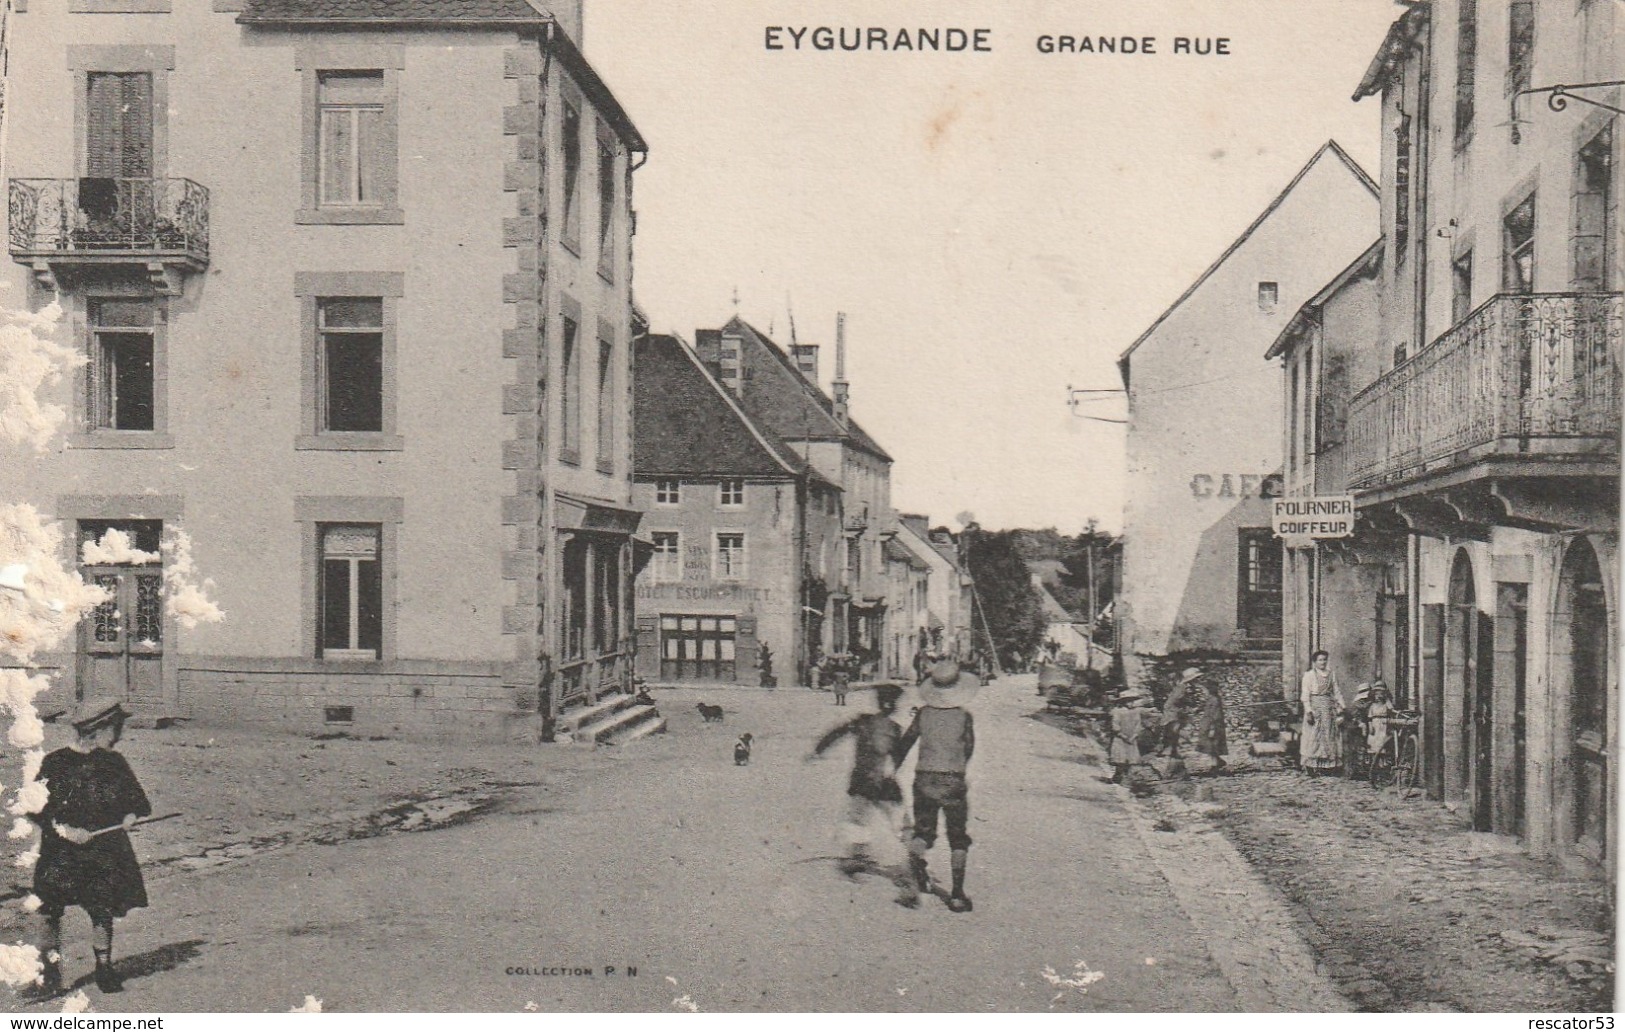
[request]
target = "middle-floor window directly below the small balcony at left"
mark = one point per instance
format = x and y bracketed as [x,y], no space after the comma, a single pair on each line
[123,376]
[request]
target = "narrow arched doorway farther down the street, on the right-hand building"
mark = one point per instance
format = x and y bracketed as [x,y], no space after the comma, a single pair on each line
[1470,657]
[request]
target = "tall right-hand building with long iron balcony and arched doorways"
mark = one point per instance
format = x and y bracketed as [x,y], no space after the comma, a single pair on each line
[1486,441]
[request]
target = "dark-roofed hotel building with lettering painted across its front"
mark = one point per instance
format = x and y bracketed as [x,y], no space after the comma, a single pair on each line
[740,529]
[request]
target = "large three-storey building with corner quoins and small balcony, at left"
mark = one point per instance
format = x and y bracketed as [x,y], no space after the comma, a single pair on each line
[355,287]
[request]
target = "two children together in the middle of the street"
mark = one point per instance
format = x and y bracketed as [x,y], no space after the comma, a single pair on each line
[945,732]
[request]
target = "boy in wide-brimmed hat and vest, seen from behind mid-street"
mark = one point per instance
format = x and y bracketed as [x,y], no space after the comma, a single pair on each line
[947,737]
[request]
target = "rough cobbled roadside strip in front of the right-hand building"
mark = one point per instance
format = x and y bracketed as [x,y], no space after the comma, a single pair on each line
[1406,908]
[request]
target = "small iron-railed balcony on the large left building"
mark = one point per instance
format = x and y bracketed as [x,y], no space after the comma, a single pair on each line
[66,227]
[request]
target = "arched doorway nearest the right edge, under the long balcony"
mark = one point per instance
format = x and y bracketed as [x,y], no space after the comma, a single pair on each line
[1585,609]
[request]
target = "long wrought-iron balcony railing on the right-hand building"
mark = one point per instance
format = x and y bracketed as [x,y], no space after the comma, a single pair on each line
[1525,375]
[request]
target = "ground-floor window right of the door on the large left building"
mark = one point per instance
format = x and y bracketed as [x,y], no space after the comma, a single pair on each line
[350,588]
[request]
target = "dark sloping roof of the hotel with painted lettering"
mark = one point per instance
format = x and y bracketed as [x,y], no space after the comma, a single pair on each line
[687,425]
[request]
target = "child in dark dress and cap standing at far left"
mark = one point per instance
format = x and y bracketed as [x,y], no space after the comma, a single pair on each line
[90,789]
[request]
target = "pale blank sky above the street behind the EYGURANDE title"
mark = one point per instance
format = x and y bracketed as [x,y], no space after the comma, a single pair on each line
[997,227]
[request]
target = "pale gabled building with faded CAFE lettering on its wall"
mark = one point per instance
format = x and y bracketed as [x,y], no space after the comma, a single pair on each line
[1202,570]
